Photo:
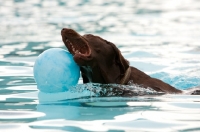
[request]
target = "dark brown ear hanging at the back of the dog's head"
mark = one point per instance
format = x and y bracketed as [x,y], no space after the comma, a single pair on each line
[119,59]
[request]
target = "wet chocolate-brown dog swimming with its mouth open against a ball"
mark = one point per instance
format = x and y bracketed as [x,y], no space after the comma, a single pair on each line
[101,61]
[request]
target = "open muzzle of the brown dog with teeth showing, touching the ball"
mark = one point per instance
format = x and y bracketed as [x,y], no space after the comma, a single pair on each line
[76,44]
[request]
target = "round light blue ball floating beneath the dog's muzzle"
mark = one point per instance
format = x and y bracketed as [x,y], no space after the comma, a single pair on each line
[55,71]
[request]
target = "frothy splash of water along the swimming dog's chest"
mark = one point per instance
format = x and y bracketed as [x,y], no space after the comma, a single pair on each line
[102,90]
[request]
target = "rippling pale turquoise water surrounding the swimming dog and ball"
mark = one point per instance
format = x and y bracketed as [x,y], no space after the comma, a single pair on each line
[159,37]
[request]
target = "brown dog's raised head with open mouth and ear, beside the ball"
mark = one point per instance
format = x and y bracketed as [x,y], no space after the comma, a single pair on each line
[91,50]
